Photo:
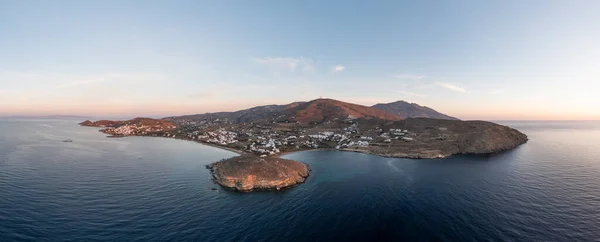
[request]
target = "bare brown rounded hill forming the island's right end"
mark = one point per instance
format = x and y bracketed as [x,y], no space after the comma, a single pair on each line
[438,138]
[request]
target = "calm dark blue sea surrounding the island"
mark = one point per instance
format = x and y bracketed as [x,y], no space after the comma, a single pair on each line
[155,189]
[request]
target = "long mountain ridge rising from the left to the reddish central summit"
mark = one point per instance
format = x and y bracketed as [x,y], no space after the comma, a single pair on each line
[319,110]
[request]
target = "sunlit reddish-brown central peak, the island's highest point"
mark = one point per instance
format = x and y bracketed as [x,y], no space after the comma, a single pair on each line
[322,110]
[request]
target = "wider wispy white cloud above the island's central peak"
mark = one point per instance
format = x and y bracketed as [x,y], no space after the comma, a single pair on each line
[279,65]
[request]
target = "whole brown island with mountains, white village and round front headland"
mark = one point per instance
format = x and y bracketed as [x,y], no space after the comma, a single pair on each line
[261,134]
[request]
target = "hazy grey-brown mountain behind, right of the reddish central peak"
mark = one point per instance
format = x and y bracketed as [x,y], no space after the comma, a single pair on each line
[411,110]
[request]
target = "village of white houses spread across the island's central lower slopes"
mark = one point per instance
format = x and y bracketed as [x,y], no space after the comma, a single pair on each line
[272,139]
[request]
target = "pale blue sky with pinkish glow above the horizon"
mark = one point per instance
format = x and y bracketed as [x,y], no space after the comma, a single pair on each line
[489,60]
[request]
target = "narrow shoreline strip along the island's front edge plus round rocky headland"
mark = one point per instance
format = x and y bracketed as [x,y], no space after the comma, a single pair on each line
[272,172]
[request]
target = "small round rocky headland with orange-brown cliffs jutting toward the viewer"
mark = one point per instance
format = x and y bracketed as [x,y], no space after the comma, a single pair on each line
[247,173]
